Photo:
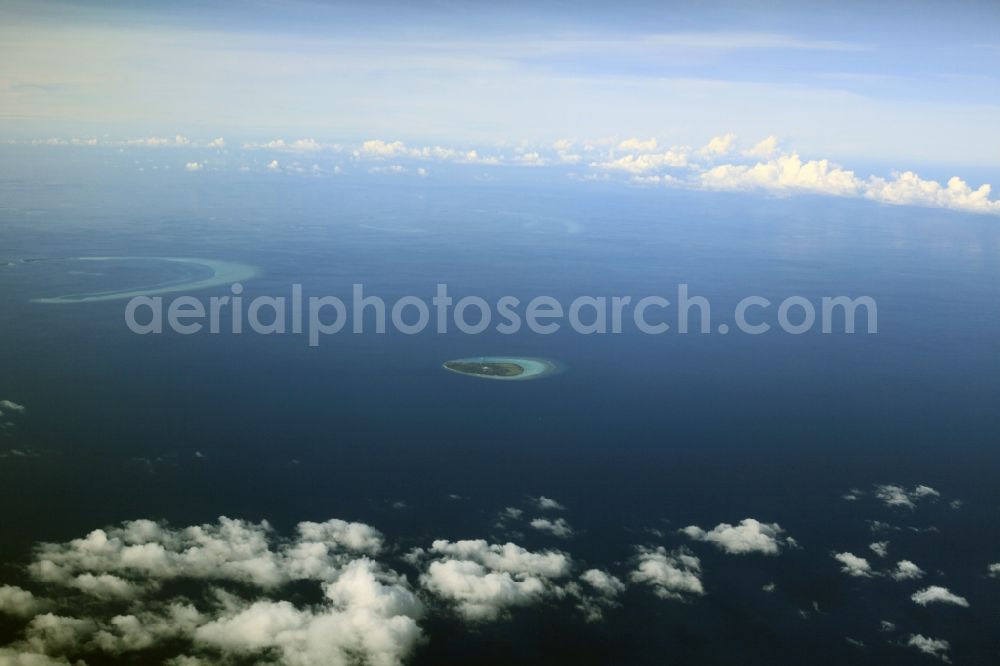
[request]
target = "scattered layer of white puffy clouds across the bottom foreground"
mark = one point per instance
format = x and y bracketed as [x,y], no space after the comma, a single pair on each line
[337,592]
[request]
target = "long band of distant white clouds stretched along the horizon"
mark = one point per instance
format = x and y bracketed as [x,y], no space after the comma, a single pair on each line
[722,164]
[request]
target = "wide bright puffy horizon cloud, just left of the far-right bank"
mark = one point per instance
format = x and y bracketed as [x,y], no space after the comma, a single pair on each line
[785,173]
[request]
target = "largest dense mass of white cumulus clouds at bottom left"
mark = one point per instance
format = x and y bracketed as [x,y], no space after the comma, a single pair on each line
[368,613]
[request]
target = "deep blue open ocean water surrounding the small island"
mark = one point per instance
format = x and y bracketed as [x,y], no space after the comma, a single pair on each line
[637,432]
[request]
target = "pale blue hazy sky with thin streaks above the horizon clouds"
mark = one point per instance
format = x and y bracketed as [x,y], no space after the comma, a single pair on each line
[900,84]
